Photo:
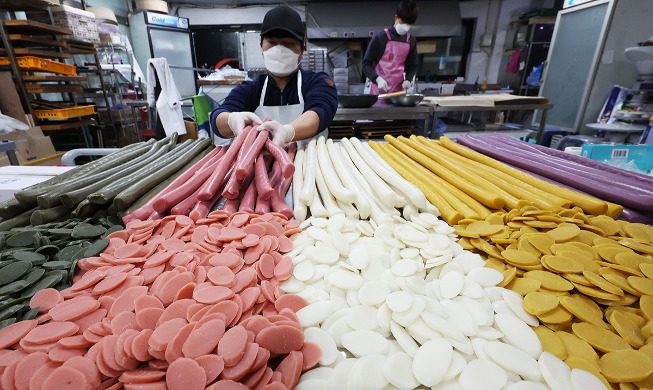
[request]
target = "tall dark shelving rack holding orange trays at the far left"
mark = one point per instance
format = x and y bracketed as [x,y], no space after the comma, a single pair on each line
[38,45]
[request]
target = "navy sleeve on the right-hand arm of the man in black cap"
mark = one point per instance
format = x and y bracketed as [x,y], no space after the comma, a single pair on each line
[320,96]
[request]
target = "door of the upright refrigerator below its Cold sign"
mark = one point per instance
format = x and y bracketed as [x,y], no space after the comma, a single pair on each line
[175,46]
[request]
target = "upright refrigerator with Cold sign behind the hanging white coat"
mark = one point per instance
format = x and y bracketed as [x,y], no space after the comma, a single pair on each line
[158,35]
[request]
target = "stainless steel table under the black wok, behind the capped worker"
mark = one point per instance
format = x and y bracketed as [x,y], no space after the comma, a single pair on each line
[385,112]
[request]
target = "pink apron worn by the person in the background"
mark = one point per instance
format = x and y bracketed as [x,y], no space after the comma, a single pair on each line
[391,64]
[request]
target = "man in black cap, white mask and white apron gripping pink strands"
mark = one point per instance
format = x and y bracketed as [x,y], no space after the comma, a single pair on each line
[301,103]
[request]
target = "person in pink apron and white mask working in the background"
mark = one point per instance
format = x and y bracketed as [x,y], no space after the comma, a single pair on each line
[392,53]
